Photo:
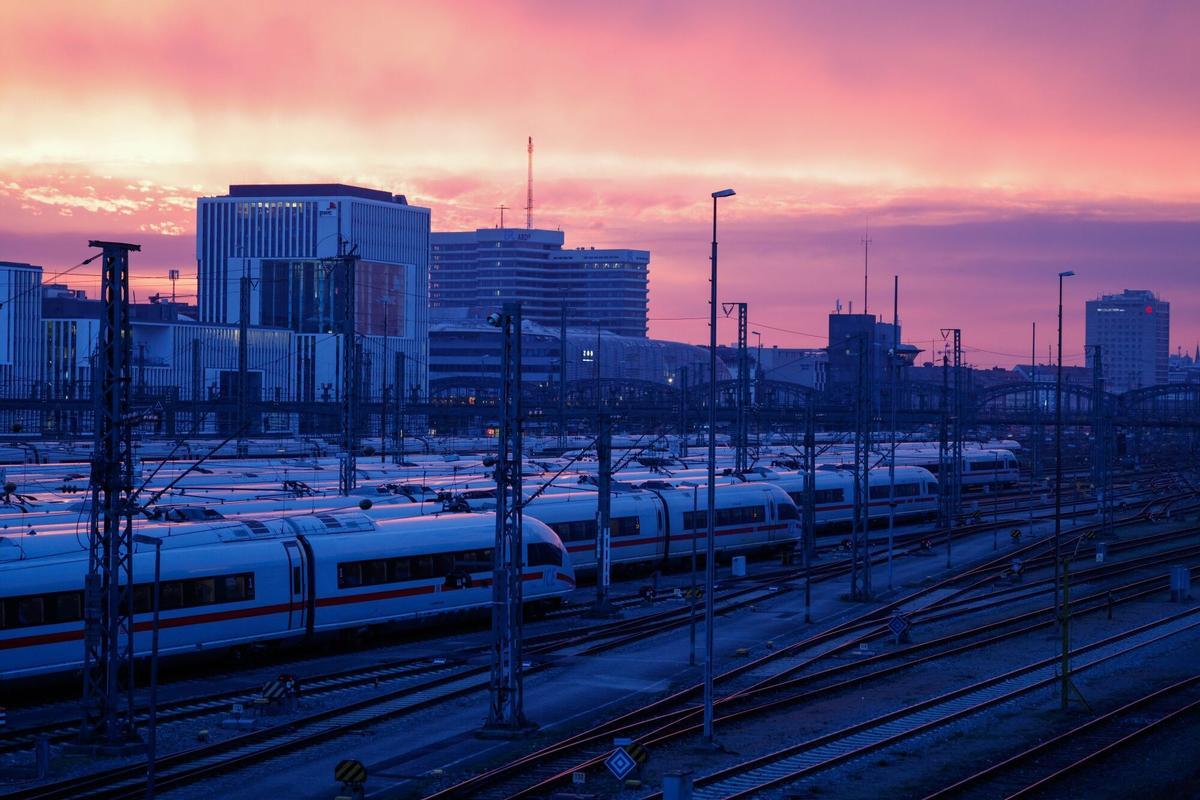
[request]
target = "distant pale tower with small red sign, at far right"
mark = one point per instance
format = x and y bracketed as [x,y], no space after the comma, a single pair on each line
[1133,332]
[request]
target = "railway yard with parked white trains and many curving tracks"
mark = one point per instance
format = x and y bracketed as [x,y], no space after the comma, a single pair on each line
[303,628]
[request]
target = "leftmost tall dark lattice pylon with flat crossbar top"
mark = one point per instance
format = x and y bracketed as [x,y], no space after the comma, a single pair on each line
[107,720]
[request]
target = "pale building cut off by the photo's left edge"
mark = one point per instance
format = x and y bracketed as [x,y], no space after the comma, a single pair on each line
[21,318]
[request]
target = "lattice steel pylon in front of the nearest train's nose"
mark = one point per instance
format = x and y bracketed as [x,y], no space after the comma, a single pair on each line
[506,714]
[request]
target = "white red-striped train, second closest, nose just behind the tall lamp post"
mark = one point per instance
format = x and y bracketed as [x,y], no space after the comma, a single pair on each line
[661,525]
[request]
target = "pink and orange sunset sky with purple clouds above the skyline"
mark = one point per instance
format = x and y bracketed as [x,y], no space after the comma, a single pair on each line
[989,145]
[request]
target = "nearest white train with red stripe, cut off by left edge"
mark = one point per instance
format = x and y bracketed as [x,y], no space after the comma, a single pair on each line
[237,584]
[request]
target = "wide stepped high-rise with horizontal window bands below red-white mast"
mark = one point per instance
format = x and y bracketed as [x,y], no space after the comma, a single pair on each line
[481,269]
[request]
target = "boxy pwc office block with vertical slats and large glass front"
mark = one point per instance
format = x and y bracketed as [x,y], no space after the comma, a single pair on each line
[283,238]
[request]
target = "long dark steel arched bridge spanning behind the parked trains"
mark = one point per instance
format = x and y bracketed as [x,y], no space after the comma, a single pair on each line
[459,405]
